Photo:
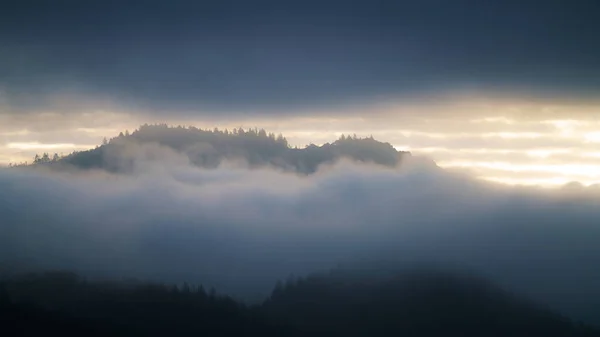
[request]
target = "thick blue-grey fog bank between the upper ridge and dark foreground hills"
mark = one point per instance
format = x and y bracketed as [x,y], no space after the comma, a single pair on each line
[240,229]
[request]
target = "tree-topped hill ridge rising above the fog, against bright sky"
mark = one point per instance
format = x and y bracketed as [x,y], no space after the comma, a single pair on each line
[208,148]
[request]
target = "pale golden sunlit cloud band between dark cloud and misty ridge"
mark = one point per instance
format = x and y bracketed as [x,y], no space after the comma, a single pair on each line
[545,143]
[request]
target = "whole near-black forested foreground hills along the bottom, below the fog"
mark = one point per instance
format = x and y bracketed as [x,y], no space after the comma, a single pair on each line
[417,303]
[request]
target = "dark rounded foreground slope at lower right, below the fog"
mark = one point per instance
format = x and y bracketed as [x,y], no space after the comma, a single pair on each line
[416,303]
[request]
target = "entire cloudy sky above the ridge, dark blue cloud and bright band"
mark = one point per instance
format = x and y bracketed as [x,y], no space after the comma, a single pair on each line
[504,89]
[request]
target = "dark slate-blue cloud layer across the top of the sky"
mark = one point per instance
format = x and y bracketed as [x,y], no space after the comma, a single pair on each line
[278,55]
